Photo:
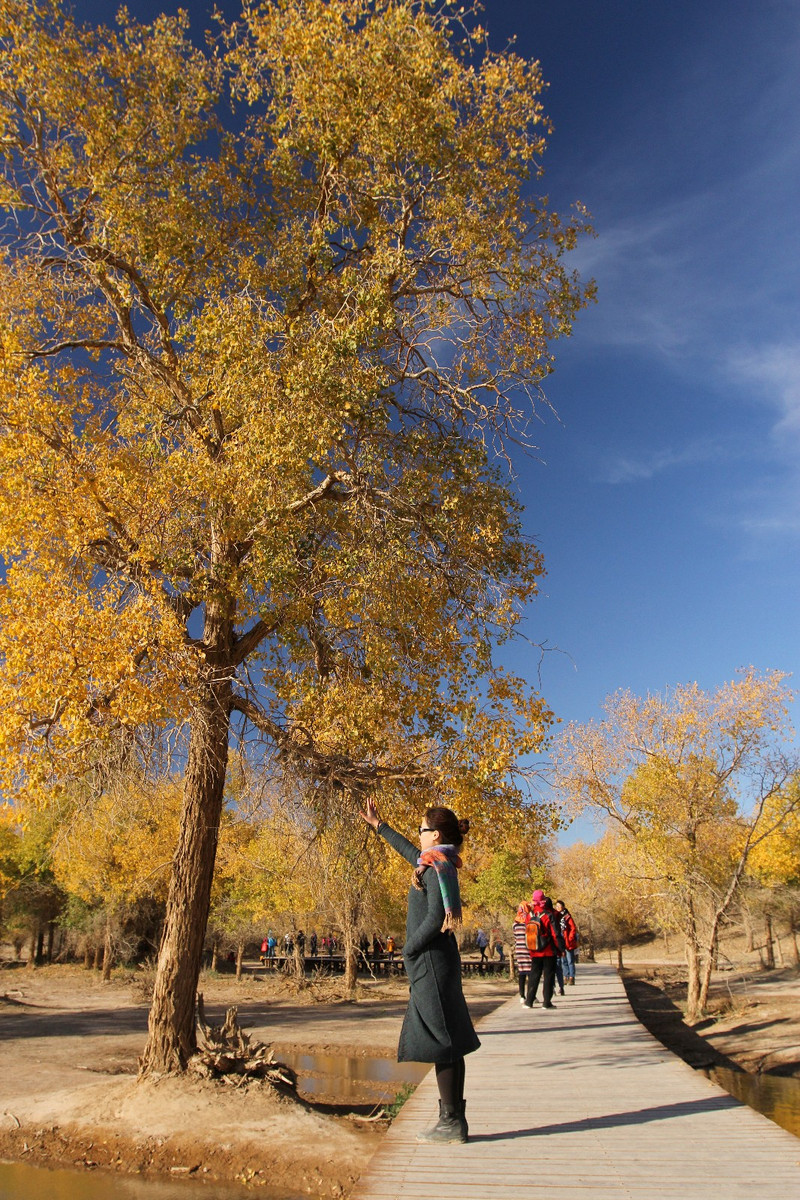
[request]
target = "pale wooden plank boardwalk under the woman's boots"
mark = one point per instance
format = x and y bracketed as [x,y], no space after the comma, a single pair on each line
[582,1103]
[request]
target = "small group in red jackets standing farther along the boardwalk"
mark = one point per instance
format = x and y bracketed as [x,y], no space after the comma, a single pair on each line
[545,941]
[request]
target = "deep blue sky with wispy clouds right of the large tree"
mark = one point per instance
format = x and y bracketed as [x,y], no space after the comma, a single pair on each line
[666,496]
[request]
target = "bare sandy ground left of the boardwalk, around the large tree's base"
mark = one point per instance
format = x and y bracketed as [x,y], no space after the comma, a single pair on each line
[69,1094]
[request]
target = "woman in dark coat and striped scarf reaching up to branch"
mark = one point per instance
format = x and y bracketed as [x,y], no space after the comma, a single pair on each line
[437,1027]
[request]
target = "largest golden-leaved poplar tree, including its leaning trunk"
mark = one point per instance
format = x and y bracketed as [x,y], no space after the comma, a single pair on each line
[269,308]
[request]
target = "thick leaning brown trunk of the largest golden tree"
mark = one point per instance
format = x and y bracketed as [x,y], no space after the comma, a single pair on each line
[172,1027]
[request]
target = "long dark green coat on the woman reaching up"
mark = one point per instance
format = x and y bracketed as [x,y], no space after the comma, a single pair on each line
[437,1027]
